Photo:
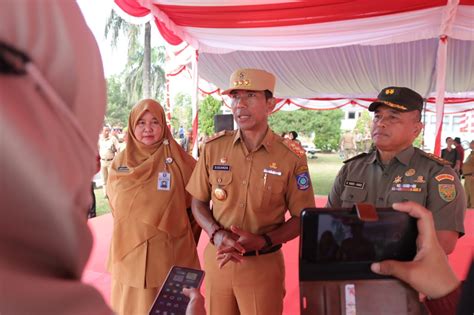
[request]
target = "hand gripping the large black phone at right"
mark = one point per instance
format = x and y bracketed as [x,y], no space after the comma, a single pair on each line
[429,272]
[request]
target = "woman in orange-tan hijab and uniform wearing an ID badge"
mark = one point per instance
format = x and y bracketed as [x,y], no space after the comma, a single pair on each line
[153,230]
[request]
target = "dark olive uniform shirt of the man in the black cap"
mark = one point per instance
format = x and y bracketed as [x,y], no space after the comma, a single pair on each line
[412,175]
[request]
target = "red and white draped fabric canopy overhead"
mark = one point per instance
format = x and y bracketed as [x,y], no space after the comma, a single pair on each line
[328,49]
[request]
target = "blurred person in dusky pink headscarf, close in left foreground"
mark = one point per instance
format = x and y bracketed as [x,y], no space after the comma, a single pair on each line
[52,103]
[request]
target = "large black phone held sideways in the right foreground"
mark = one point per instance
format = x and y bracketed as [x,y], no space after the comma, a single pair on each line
[336,245]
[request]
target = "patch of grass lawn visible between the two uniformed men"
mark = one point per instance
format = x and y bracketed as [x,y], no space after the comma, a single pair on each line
[323,171]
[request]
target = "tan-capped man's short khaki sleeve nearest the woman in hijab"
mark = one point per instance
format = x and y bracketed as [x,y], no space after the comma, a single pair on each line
[198,185]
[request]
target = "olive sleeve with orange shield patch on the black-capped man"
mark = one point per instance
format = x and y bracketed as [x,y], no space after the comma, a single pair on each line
[446,200]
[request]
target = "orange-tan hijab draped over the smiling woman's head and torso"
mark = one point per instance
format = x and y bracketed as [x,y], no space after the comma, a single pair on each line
[139,208]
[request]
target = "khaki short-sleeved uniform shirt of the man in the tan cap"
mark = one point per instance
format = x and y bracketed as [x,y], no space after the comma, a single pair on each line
[260,185]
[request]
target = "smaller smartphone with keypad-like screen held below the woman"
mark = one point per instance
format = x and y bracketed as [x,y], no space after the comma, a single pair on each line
[170,300]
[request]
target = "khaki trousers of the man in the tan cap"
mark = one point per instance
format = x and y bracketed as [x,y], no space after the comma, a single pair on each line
[256,286]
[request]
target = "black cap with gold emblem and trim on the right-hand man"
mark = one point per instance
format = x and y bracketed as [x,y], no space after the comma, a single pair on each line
[400,98]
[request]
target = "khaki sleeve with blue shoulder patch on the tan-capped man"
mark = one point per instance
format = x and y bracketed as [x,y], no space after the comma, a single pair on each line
[300,193]
